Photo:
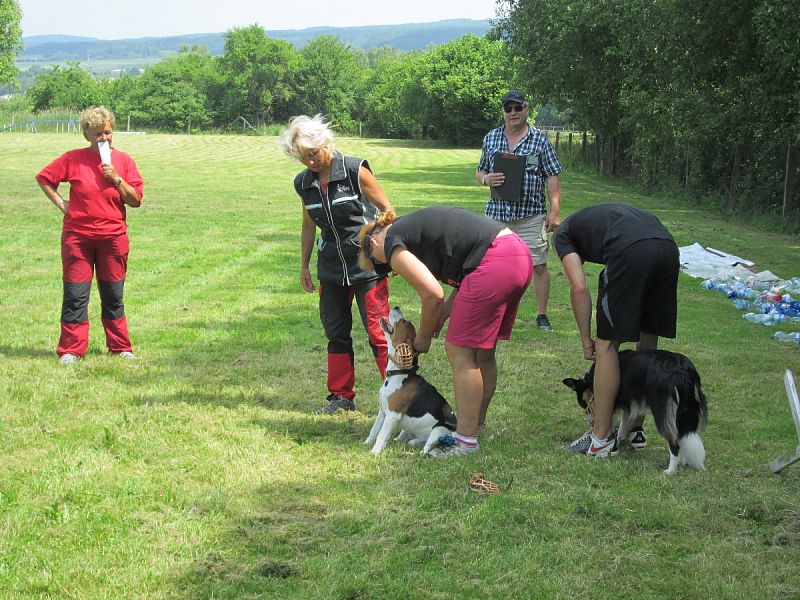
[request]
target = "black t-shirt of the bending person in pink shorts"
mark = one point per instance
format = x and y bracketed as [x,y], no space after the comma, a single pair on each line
[449,241]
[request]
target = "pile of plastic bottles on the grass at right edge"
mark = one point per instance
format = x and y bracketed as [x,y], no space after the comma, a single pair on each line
[767,303]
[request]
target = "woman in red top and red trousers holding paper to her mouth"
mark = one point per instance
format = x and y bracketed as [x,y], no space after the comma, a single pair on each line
[94,234]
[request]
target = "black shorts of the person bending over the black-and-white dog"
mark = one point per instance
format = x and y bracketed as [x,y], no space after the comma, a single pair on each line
[638,292]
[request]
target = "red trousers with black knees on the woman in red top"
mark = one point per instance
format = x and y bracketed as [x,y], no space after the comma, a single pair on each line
[80,257]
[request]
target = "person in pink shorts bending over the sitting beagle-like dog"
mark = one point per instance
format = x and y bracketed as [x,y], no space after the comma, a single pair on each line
[489,268]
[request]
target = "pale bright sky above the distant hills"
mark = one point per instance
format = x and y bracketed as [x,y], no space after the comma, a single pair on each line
[123,19]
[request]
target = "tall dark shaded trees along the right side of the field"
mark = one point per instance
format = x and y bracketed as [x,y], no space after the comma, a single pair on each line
[676,89]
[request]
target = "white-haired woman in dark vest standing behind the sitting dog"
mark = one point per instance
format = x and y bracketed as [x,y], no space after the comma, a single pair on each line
[339,194]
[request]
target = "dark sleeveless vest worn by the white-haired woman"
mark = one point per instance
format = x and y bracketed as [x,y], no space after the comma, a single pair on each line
[339,219]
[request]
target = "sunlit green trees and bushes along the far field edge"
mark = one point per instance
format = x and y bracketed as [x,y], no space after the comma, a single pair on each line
[449,92]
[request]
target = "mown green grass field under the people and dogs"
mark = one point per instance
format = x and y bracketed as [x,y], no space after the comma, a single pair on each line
[200,471]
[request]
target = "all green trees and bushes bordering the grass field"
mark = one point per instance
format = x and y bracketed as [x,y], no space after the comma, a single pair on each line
[675,92]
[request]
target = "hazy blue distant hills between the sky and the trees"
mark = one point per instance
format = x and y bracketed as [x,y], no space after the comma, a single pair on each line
[410,36]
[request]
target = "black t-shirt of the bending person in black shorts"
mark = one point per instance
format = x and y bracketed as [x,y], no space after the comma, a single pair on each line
[599,232]
